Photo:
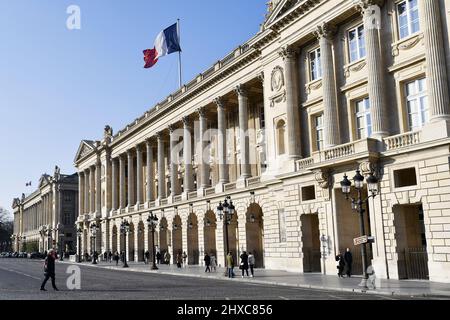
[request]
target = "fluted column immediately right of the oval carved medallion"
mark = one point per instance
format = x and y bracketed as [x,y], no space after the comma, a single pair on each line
[292,105]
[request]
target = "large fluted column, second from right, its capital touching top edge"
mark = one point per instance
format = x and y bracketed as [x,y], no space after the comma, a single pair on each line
[375,69]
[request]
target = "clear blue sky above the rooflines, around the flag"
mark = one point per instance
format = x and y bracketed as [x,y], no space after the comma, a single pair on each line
[59,86]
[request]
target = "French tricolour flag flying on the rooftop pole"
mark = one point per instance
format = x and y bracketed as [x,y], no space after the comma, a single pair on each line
[167,42]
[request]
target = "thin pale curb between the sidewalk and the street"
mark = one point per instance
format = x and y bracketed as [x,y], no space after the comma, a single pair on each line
[266,282]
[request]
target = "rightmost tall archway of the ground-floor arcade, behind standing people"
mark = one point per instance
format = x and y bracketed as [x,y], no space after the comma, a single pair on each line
[254,233]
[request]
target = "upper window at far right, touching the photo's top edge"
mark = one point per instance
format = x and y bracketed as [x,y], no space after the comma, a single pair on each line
[408,18]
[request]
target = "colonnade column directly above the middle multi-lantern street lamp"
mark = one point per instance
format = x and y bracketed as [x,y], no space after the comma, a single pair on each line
[222,141]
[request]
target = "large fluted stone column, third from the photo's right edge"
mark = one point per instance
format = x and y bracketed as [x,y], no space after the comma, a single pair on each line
[325,33]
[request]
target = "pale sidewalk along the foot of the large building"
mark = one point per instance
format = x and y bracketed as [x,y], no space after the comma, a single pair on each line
[283,278]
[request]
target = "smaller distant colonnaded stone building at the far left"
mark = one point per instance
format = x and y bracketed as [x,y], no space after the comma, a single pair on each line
[47,216]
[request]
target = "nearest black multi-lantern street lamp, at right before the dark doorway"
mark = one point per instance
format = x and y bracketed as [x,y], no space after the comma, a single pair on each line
[357,205]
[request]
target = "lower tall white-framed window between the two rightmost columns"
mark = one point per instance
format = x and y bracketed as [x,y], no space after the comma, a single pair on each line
[417,104]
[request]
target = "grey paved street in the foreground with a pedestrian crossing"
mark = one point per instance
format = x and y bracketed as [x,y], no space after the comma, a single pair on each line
[21,278]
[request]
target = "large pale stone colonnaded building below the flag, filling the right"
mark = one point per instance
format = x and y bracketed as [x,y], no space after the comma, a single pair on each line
[325,88]
